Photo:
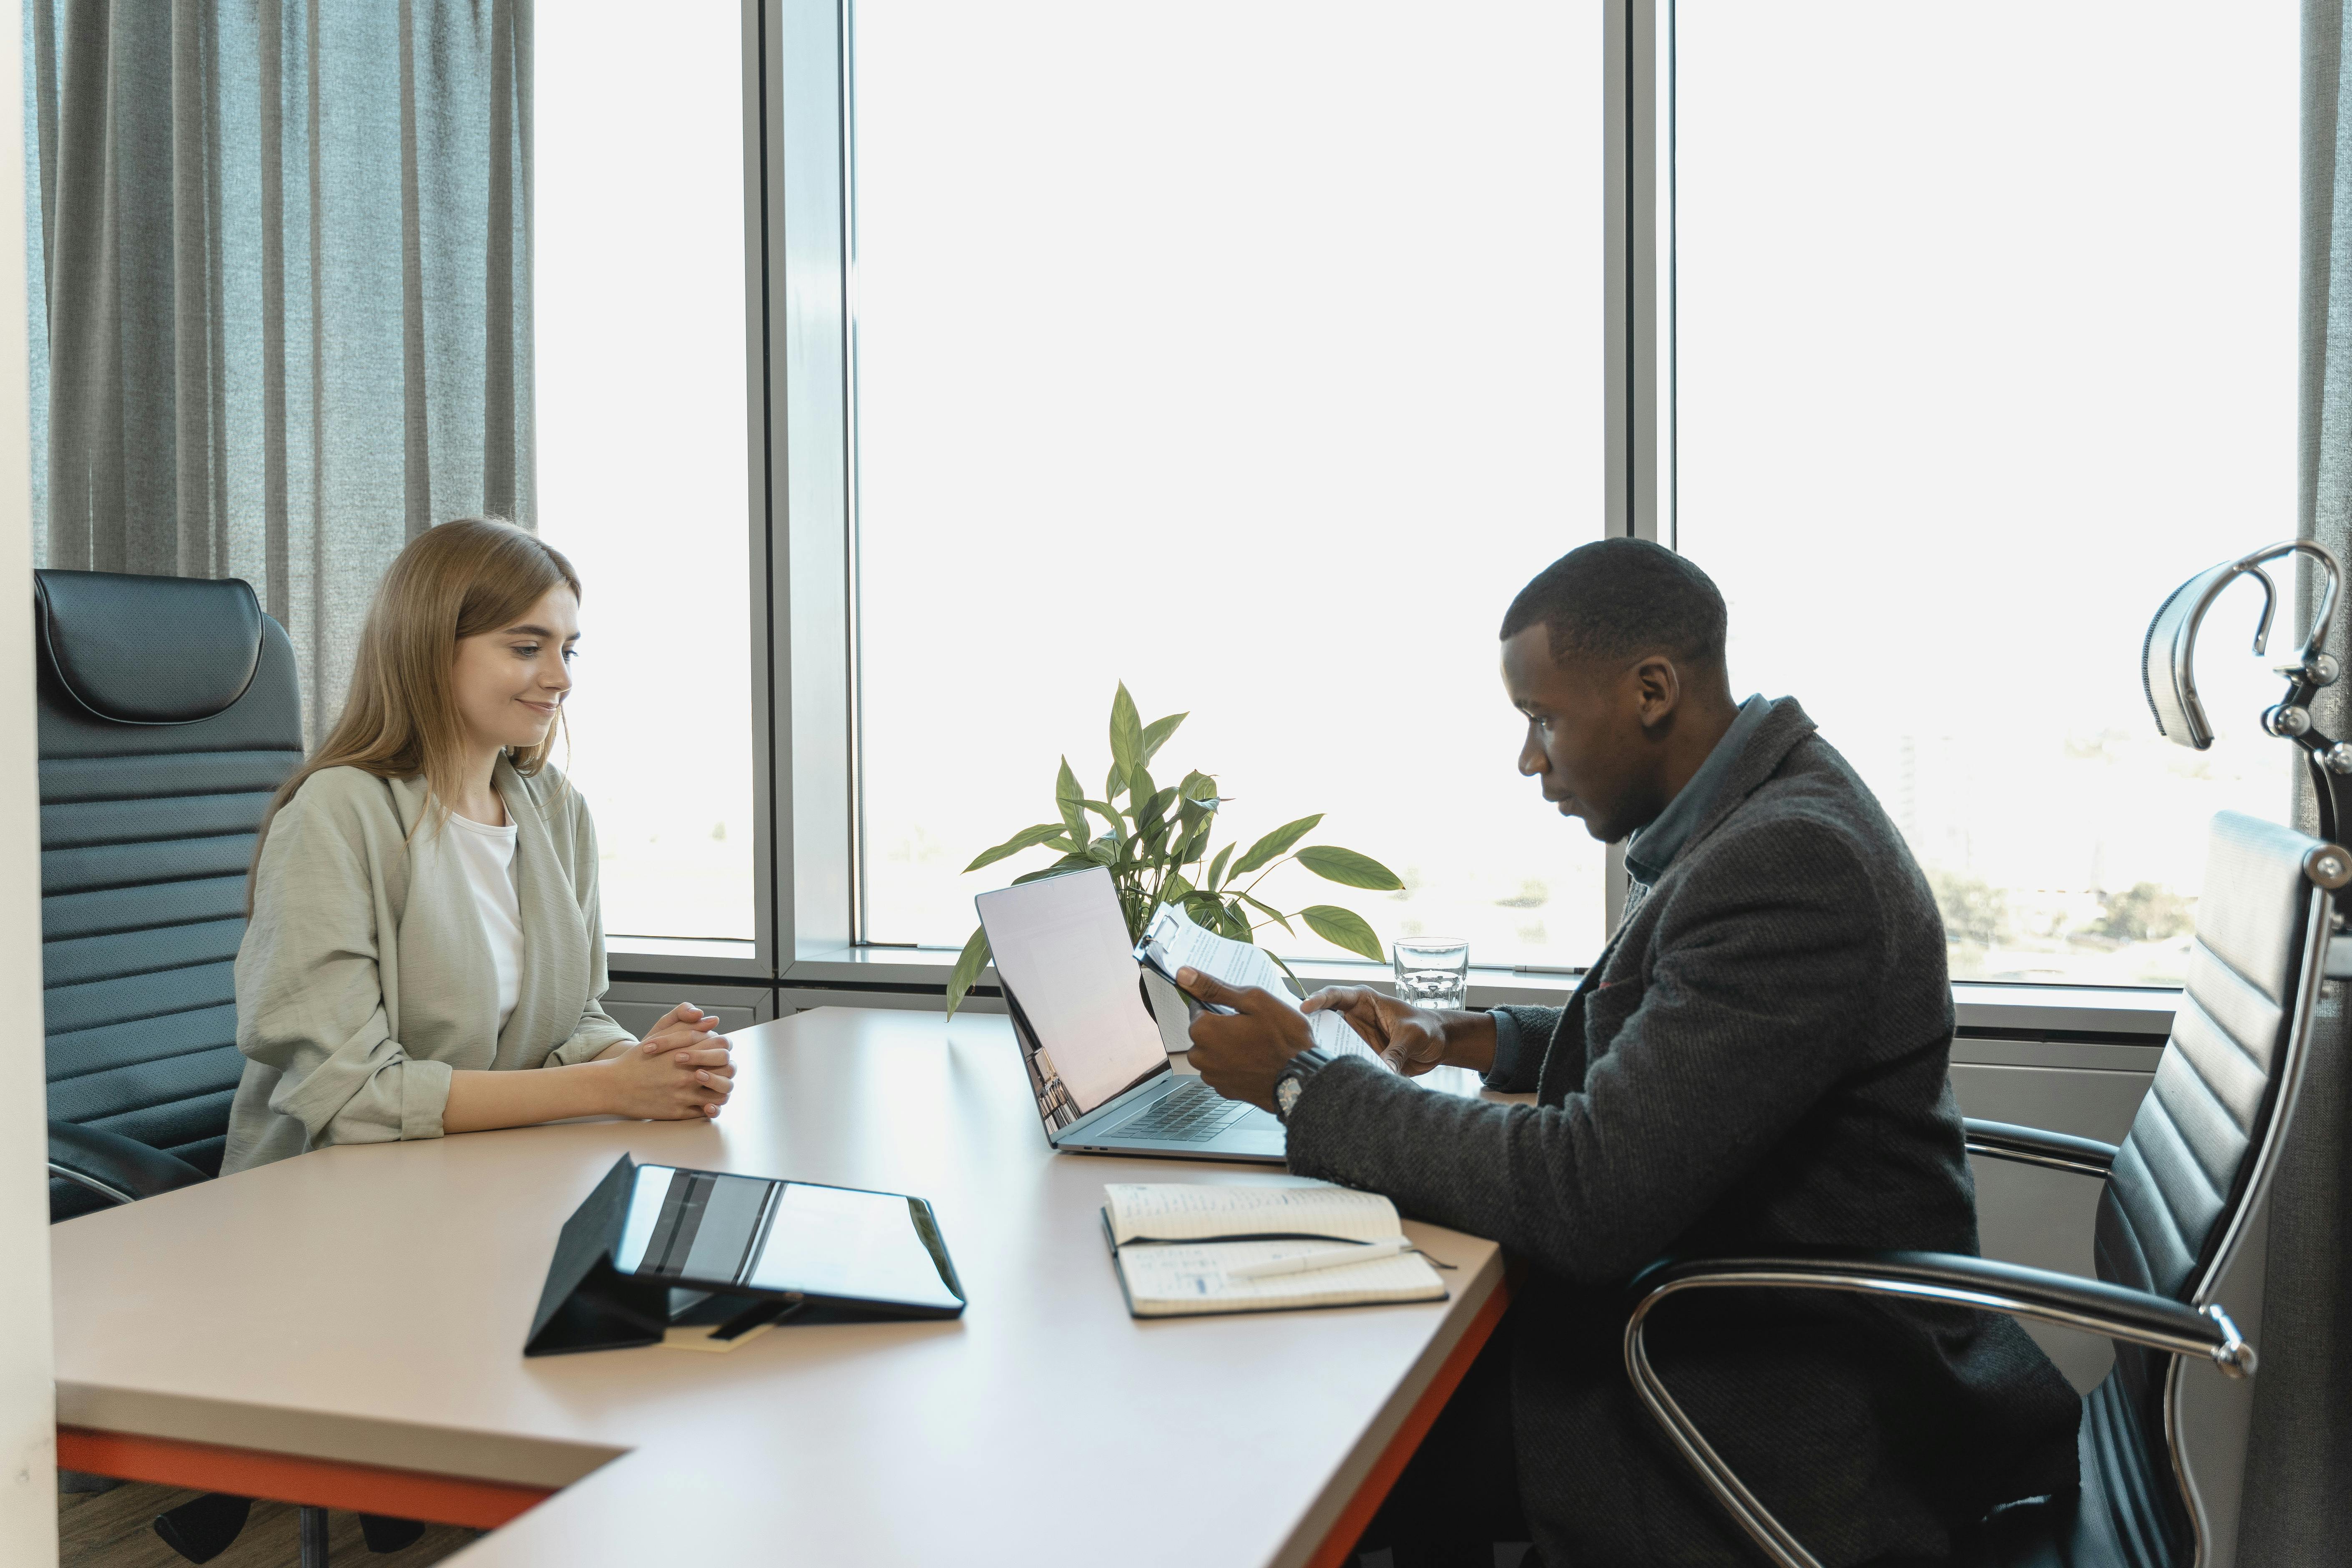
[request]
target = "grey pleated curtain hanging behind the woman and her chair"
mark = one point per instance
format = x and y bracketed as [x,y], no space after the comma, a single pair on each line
[281,264]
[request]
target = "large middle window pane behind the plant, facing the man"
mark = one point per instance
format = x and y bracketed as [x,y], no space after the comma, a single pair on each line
[1248,354]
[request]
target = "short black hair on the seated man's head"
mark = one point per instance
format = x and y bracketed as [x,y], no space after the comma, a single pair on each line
[1622,598]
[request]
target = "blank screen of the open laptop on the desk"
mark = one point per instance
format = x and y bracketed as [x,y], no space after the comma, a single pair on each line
[1064,956]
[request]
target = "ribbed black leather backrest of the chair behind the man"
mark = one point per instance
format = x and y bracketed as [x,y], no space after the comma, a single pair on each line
[2207,1130]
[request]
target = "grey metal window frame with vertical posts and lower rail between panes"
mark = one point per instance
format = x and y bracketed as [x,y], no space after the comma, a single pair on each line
[801,389]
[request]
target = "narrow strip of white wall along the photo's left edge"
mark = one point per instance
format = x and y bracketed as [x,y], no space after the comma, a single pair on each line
[27,1395]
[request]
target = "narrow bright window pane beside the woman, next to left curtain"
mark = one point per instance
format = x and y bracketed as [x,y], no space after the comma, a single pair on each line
[641,321]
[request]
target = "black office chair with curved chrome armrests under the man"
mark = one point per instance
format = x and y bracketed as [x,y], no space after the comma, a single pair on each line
[2177,1191]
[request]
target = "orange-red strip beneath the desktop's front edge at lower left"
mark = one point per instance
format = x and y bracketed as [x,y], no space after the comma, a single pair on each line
[283,1477]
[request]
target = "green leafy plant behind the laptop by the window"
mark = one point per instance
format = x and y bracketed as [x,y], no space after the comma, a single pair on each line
[1156,845]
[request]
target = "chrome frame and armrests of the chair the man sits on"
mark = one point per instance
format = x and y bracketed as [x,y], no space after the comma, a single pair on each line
[2198,1327]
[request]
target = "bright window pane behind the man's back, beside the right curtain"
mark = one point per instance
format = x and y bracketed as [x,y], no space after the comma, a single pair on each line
[1984,342]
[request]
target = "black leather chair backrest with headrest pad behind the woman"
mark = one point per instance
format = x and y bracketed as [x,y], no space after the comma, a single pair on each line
[168,718]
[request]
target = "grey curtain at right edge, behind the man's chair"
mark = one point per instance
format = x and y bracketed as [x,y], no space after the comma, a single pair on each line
[2299,1468]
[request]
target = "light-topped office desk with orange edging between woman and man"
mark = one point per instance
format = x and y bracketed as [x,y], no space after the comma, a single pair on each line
[347,1329]
